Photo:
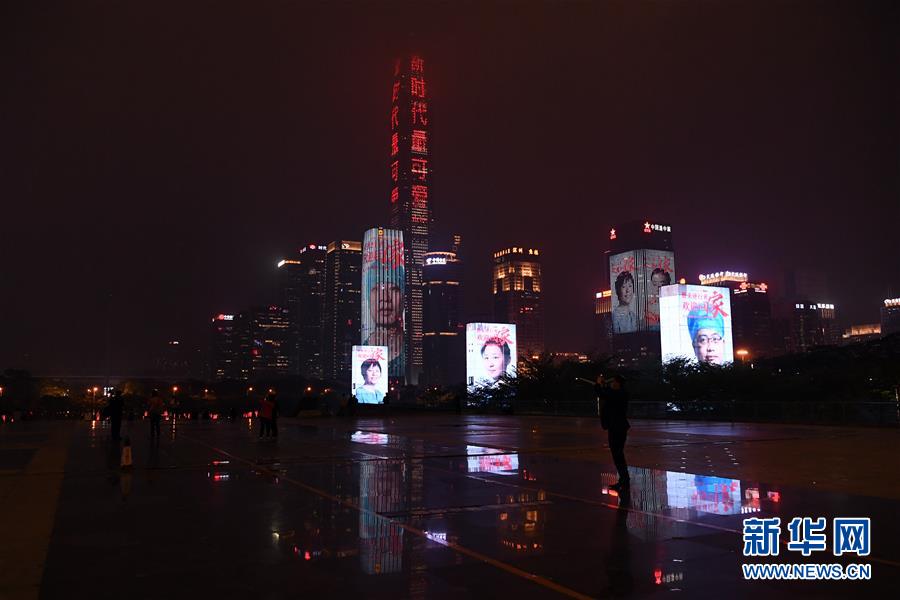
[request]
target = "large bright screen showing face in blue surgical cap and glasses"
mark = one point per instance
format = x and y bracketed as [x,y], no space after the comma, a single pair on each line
[696,324]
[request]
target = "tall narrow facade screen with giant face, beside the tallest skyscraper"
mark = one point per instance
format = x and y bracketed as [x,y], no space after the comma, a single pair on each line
[383,291]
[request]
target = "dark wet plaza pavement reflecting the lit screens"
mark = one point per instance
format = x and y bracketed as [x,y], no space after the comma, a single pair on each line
[447,506]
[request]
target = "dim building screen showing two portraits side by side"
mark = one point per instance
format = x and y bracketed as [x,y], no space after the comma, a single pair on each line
[635,278]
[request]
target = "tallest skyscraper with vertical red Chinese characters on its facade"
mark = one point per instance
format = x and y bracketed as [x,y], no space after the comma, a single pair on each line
[410,174]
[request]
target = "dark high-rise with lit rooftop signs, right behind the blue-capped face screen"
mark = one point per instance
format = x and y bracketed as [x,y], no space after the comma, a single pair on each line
[751,317]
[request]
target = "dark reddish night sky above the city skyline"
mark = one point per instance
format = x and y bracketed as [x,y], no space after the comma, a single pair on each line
[157,159]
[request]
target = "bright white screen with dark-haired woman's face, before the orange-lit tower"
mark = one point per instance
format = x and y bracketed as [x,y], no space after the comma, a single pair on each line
[490,353]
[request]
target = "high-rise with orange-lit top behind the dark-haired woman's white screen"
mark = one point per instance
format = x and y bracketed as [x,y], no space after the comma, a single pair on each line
[517,297]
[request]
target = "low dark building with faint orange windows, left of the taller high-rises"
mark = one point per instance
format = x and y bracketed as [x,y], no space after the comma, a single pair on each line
[269,334]
